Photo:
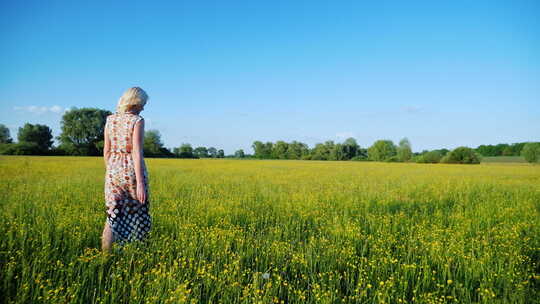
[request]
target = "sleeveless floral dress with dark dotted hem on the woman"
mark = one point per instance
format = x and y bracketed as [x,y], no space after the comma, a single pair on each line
[128,218]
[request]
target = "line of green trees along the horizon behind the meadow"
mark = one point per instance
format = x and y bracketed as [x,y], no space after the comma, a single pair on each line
[82,134]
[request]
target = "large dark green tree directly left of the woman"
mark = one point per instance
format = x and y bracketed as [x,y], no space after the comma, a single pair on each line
[82,130]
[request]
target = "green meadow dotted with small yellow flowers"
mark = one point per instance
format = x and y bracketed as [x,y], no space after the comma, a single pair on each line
[232,231]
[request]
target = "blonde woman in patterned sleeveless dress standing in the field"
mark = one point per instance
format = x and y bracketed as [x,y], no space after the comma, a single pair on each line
[126,178]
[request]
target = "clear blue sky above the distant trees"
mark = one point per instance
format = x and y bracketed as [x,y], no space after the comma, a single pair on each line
[227,73]
